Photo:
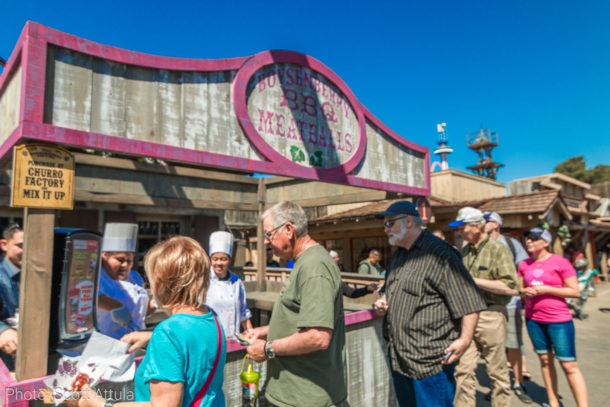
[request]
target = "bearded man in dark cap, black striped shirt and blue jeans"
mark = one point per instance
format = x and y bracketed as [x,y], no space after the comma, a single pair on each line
[431,308]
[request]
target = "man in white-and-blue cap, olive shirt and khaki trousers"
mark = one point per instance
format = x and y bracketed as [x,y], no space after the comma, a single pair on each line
[493,271]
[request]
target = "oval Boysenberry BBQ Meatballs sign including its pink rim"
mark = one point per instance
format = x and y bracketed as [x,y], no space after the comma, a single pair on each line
[297,111]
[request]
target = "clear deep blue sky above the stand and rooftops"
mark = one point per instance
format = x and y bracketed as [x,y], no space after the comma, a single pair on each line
[536,72]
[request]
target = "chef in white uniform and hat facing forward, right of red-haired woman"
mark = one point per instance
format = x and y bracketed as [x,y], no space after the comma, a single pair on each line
[226,295]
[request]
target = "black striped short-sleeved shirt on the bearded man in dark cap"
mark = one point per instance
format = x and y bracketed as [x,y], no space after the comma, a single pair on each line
[428,291]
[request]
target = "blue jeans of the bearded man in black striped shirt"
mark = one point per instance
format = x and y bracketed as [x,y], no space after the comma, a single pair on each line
[437,390]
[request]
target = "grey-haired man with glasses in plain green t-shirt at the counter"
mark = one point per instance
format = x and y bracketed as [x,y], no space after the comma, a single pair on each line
[304,343]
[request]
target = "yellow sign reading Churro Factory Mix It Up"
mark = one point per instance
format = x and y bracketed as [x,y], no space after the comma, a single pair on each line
[43,177]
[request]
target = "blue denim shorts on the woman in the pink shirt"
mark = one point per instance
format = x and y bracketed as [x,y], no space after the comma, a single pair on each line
[557,337]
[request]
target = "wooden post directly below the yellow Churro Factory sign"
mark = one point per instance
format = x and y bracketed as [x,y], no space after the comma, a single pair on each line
[35,293]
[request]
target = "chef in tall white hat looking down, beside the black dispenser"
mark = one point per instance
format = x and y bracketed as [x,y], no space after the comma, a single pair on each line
[122,303]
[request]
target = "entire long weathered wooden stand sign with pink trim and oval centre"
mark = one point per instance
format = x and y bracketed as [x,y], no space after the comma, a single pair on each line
[277,112]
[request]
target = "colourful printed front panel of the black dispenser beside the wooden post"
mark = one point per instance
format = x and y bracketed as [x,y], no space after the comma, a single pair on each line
[80,285]
